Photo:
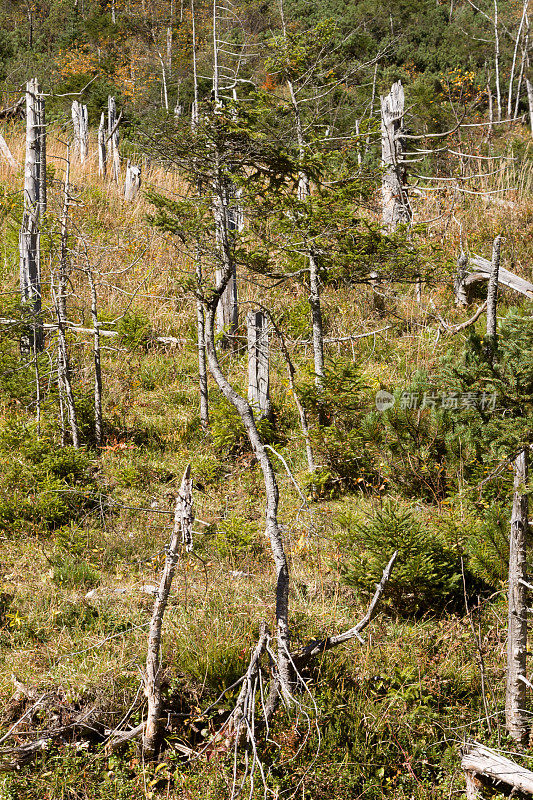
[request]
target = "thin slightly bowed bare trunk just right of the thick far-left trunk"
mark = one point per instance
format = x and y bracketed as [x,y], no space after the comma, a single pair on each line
[61,309]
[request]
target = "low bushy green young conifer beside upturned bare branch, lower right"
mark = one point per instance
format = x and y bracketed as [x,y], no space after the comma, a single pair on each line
[427,574]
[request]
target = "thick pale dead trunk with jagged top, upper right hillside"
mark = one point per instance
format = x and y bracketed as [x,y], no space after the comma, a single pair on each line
[396,209]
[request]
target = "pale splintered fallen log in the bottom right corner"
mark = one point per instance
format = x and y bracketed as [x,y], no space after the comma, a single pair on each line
[486,767]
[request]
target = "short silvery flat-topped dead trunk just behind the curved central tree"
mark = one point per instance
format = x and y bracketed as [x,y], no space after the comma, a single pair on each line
[258,363]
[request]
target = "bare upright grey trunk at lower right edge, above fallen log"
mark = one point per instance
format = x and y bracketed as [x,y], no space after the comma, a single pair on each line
[516,713]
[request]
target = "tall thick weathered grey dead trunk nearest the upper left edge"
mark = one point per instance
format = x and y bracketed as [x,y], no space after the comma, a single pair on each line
[34,204]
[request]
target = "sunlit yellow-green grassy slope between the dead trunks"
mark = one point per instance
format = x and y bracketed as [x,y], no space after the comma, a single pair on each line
[391,712]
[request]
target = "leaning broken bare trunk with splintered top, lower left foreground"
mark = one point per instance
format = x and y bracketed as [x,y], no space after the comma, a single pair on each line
[183,518]
